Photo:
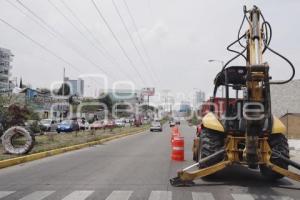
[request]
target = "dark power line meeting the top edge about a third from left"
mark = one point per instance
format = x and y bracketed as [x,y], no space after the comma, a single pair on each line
[117,40]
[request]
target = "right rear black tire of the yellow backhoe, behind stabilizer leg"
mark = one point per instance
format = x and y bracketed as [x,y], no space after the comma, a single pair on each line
[278,143]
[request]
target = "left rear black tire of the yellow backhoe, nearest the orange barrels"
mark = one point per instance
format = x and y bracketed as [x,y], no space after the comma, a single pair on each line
[210,142]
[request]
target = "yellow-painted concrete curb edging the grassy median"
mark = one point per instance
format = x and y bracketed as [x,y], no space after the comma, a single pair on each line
[36,156]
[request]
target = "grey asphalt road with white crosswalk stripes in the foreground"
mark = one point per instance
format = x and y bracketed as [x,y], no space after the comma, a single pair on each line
[136,167]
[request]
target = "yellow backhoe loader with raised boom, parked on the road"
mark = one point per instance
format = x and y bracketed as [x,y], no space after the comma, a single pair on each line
[247,133]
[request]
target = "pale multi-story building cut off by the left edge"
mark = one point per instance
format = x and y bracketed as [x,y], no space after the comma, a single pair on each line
[5,68]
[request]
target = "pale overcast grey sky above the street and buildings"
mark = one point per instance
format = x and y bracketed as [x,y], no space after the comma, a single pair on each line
[175,39]
